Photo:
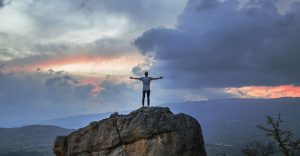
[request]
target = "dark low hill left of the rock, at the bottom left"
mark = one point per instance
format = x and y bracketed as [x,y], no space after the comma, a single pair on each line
[29,140]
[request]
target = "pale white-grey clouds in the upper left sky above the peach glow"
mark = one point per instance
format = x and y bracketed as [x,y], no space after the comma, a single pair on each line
[36,30]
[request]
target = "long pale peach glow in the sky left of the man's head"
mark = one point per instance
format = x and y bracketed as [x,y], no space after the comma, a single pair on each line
[91,65]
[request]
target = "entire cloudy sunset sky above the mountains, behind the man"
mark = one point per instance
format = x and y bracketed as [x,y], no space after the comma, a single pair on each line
[61,58]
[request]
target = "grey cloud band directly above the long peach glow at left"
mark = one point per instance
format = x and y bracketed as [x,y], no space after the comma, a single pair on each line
[44,52]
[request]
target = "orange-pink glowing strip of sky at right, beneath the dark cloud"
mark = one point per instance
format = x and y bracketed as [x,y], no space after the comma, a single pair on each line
[265,91]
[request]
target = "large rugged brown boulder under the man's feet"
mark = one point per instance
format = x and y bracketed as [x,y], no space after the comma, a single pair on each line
[149,131]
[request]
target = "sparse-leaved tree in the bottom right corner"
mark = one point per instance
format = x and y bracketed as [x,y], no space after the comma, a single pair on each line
[284,138]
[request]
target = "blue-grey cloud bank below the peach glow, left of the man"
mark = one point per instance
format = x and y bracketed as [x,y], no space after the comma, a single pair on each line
[32,98]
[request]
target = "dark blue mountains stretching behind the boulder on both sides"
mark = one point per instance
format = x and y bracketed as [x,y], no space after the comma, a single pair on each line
[227,124]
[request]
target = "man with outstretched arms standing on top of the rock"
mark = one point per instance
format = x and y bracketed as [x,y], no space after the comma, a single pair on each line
[146,86]
